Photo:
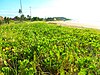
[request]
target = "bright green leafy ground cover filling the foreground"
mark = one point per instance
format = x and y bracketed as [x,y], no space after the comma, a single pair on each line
[47,49]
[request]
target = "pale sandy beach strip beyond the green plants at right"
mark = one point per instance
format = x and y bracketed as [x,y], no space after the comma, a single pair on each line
[75,24]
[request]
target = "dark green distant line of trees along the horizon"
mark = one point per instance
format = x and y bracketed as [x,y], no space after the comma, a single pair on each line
[29,18]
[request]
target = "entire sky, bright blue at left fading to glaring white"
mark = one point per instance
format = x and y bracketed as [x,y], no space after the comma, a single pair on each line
[75,9]
